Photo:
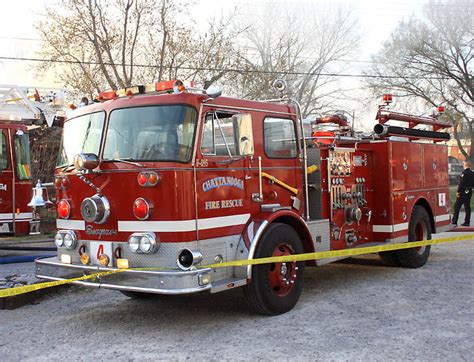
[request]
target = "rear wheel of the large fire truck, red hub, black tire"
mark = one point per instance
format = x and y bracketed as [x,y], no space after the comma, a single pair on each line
[419,229]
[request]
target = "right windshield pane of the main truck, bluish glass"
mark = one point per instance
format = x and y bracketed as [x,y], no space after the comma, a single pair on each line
[151,133]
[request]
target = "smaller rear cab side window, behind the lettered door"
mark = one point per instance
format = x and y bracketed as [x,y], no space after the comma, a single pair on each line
[279,138]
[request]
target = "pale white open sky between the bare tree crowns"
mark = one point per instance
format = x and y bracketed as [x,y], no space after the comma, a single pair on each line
[18,37]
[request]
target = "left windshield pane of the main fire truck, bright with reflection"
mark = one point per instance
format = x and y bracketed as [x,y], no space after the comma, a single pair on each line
[81,134]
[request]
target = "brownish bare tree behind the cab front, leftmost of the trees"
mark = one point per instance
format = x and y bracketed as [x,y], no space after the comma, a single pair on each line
[97,44]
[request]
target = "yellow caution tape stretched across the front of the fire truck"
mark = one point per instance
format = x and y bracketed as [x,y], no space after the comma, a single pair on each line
[275,259]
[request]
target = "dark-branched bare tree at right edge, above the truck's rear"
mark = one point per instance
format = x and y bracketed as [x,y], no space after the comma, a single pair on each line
[431,58]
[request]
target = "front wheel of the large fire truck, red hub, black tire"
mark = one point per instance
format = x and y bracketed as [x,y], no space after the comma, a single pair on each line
[275,288]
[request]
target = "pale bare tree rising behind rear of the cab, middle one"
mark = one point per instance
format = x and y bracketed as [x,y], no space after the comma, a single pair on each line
[298,45]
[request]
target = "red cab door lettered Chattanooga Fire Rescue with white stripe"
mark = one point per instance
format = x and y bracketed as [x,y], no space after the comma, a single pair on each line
[222,173]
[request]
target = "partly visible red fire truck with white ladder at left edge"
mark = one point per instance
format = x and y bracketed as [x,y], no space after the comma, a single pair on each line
[20,111]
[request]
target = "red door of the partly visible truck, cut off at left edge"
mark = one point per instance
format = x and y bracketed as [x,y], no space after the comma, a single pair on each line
[6,183]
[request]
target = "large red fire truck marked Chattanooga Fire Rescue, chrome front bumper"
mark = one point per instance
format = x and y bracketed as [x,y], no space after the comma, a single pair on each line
[162,180]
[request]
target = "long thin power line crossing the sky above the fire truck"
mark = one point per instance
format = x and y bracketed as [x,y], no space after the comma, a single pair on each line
[220,69]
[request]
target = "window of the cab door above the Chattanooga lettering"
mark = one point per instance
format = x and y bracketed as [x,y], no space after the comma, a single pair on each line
[225,133]
